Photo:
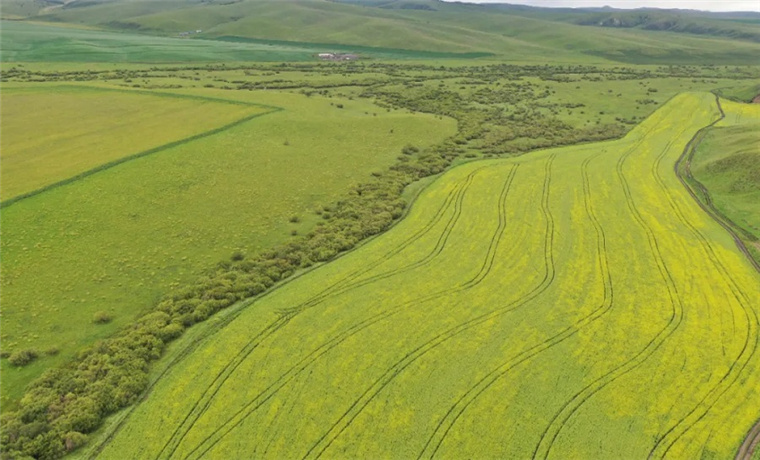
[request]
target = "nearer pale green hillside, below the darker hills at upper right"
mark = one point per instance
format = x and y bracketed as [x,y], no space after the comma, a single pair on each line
[454,28]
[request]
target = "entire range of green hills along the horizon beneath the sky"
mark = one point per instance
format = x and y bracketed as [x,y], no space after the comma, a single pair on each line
[519,33]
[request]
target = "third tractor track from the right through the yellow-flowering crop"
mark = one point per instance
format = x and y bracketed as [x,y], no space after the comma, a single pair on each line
[441,431]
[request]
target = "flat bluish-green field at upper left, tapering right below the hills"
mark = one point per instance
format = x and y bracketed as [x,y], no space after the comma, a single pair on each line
[41,42]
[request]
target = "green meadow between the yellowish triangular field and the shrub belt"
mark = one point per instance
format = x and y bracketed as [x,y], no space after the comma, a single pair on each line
[184,209]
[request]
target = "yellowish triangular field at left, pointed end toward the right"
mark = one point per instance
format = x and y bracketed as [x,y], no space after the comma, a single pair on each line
[78,132]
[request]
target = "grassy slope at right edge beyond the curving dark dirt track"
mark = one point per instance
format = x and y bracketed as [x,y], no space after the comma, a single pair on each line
[727,162]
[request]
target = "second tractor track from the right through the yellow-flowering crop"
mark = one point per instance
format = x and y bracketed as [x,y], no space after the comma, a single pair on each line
[571,406]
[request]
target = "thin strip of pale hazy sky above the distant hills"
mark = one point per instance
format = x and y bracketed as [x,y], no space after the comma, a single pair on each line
[709,5]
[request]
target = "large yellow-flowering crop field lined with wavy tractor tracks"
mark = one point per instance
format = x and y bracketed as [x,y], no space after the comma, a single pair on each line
[569,303]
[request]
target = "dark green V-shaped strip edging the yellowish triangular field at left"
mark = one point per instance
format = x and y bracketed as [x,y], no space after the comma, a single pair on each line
[111,164]
